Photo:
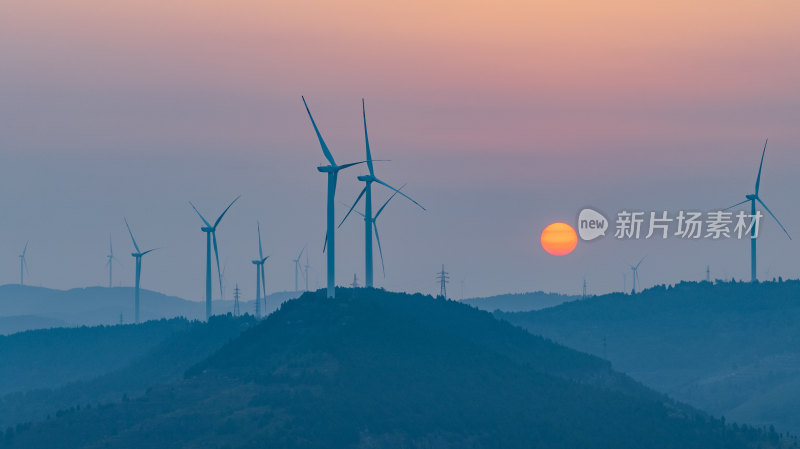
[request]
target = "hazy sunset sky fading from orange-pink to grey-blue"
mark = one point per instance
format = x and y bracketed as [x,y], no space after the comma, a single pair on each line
[502,117]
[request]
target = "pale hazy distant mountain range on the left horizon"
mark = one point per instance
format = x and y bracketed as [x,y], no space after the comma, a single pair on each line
[27,307]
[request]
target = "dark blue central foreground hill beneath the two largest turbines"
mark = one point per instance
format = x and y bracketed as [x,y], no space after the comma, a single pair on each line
[379,369]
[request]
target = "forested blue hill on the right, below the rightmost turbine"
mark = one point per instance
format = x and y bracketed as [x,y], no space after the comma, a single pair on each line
[731,349]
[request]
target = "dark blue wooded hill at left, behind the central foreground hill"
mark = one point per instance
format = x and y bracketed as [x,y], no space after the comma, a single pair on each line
[89,365]
